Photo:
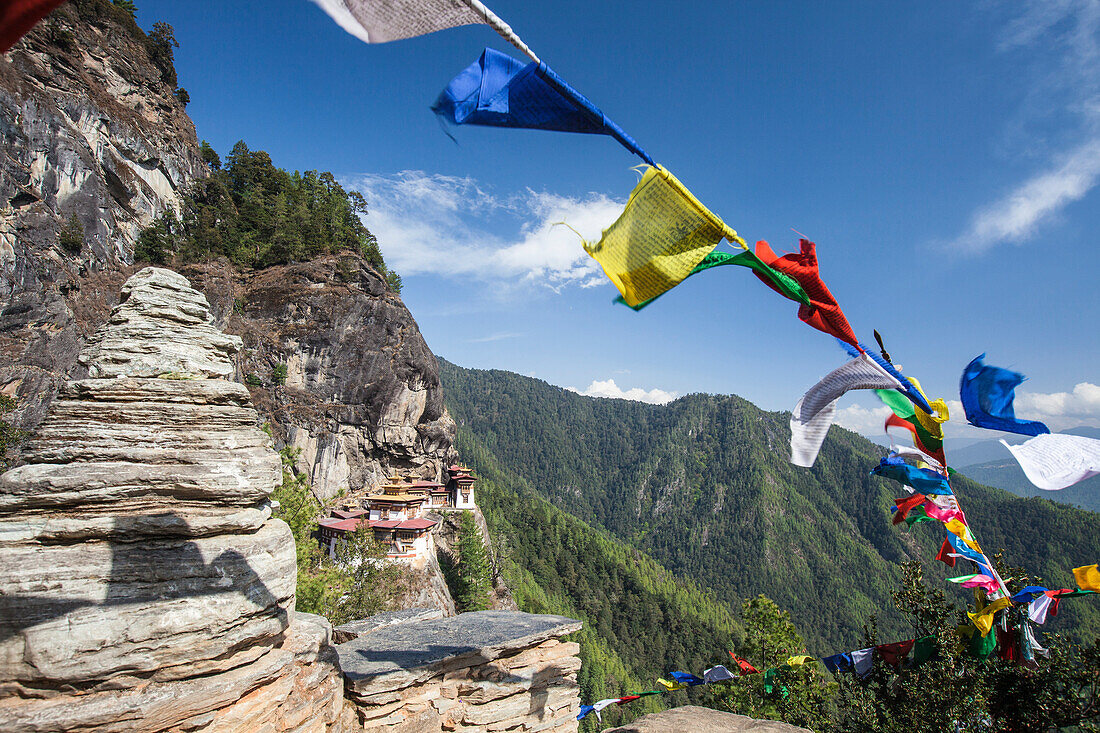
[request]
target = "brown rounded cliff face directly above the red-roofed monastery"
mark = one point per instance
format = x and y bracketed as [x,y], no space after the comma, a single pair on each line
[362,397]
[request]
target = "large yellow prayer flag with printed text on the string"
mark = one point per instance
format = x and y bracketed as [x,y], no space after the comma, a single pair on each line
[661,237]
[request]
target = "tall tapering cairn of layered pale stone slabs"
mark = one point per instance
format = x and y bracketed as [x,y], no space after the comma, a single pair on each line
[144,584]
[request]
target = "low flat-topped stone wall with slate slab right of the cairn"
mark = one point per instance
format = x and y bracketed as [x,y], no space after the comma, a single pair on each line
[489,671]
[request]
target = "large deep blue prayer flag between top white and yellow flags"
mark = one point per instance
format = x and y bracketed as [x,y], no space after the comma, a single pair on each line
[498,91]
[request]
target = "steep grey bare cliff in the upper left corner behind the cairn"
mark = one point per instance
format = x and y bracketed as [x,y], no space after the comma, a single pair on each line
[89,129]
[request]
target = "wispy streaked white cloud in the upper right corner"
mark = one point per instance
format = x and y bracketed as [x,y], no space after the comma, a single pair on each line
[1063,40]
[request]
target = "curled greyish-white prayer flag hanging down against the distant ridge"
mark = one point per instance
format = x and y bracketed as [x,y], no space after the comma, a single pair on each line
[813,415]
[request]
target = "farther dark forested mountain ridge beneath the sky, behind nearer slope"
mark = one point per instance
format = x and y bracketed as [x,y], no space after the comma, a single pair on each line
[703,486]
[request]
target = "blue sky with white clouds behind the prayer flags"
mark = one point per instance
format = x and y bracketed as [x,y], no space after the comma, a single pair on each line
[944,157]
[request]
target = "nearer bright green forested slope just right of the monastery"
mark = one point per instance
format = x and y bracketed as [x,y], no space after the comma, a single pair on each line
[641,621]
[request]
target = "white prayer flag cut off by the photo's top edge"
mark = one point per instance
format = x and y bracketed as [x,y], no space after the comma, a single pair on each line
[394,20]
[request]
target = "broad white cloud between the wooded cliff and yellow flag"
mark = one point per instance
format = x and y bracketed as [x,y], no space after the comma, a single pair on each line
[430,224]
